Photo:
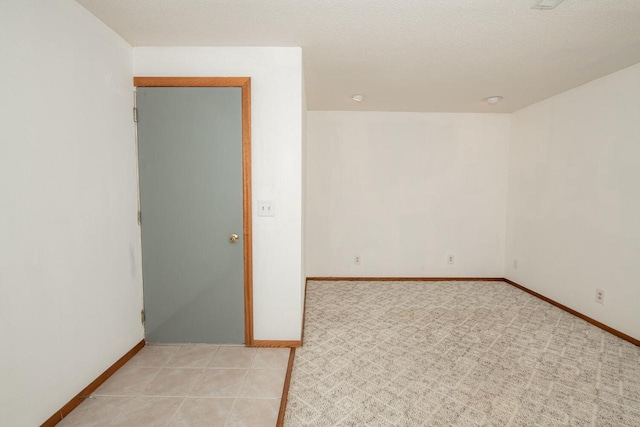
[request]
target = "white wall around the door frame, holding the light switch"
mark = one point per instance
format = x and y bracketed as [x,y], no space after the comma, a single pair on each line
[276,103]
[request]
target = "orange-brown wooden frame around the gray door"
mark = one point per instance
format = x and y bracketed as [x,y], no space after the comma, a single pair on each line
[245,84]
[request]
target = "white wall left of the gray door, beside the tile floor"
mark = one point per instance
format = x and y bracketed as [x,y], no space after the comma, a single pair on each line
[70,281]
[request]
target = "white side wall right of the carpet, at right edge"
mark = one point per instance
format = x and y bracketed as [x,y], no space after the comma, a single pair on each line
[574,199]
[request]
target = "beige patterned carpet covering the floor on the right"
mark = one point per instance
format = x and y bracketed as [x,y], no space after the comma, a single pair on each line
[455,354]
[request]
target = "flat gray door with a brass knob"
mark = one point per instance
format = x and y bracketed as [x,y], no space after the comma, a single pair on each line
[190,161]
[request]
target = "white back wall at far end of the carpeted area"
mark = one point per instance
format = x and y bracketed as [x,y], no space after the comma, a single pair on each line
[404,190]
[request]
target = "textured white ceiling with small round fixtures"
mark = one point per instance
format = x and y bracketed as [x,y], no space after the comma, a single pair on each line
[405,55]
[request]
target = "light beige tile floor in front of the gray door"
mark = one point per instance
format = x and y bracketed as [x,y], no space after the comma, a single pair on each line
[190,385]
